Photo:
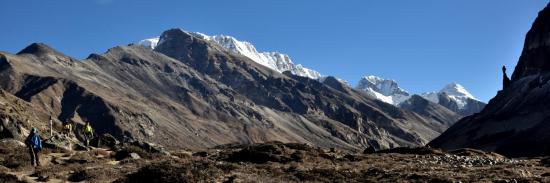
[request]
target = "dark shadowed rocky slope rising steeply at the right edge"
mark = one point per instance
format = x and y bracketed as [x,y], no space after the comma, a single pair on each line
[515,122]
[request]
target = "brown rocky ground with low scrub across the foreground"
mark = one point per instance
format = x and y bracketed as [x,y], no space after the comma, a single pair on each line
[270,162]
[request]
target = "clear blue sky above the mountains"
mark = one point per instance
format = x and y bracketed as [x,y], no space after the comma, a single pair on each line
[422,44]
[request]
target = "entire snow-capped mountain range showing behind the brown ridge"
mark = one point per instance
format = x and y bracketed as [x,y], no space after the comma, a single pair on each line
[453,96]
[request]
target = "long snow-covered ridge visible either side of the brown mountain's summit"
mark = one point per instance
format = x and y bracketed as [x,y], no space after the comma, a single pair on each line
[274,60]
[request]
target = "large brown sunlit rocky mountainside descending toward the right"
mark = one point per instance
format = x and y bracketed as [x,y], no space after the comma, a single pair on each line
[190,92]
